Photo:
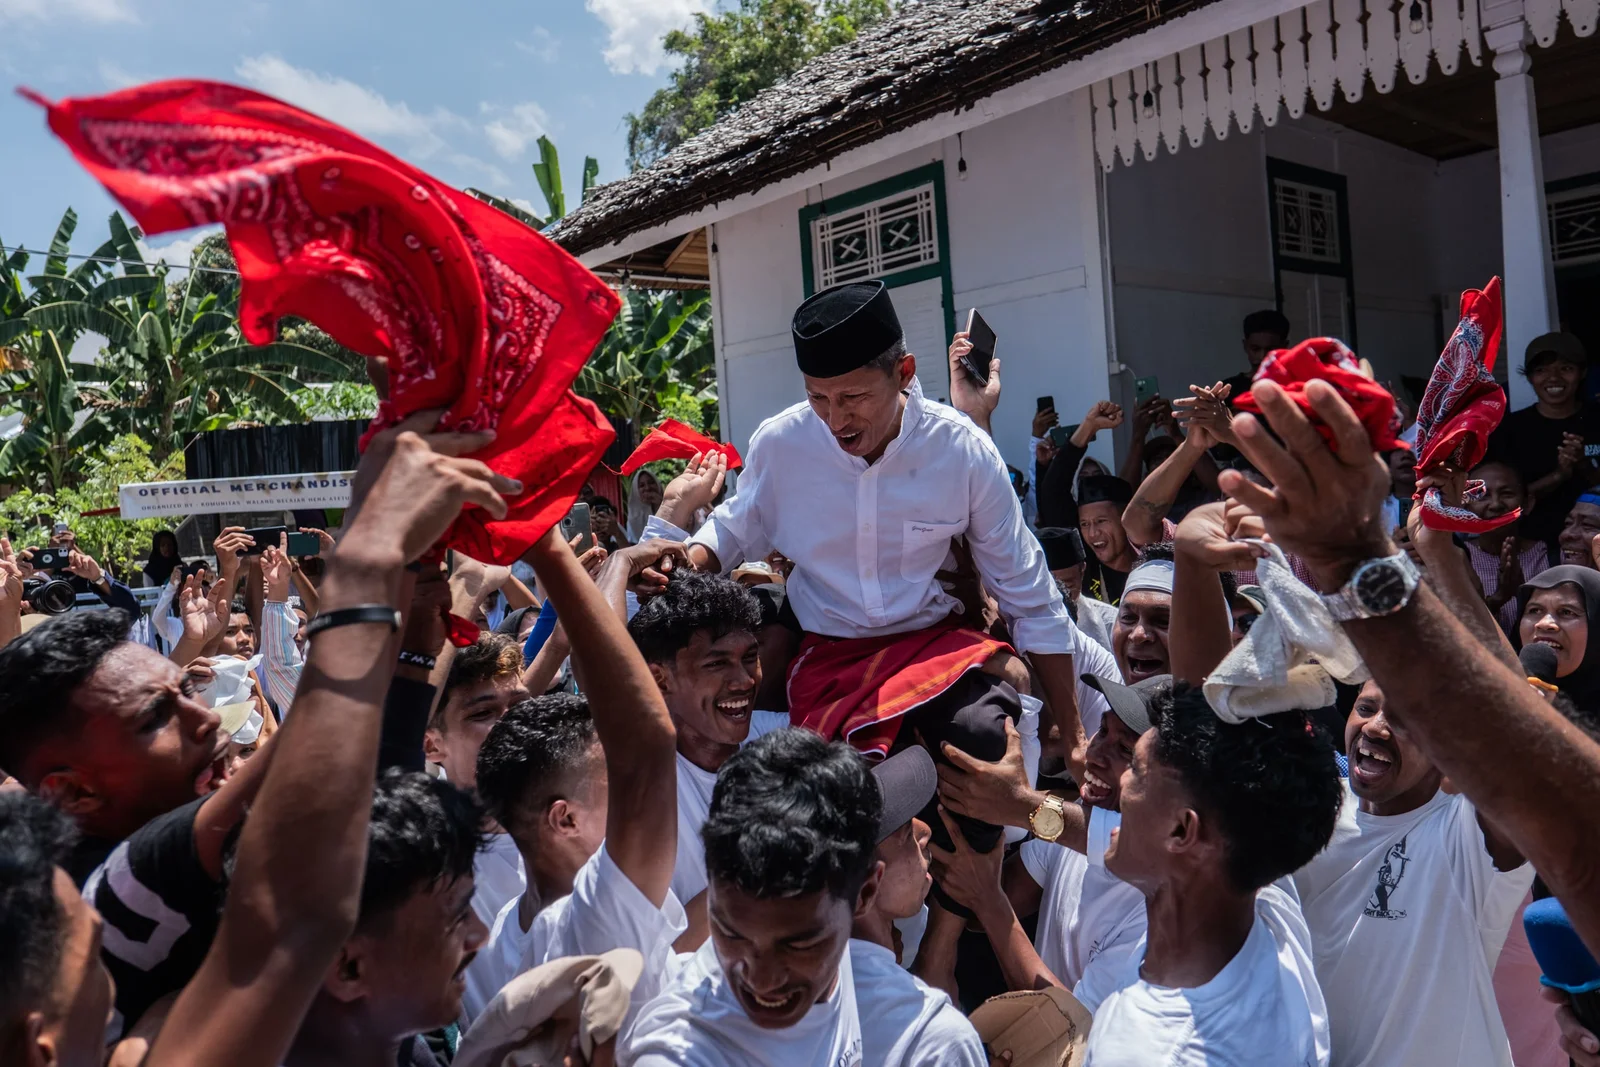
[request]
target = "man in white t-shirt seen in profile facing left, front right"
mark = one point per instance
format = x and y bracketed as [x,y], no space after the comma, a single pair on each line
[1214,817]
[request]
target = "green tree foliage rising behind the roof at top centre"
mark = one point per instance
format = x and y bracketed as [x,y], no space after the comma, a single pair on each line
[730,57]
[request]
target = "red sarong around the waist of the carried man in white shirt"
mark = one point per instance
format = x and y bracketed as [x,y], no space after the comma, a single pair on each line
[860,689]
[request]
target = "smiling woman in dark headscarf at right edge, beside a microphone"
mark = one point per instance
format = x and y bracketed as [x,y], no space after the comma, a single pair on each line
[1561,609]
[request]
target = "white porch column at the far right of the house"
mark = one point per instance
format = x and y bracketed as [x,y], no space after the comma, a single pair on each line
[1530,279]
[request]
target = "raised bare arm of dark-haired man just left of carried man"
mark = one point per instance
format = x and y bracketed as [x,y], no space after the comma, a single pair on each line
[631,719]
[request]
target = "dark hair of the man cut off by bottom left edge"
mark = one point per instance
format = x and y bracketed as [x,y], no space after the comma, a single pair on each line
[34,839]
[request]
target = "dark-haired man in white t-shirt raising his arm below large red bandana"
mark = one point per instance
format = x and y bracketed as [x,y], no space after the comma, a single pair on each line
[588,789]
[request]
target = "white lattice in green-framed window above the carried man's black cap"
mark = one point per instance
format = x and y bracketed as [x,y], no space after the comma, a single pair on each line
[878,239]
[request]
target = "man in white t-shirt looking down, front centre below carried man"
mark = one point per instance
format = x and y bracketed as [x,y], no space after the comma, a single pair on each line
[791,850]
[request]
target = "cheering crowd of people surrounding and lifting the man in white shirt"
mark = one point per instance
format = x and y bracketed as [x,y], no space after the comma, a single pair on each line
[894,756]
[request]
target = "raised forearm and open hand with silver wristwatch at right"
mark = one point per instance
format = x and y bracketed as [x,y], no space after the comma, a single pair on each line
[1522,764]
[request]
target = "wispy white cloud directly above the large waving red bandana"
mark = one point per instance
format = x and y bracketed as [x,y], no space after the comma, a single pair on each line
[356,106]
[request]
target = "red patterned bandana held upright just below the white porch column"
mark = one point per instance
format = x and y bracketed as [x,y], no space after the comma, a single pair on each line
[1462,407]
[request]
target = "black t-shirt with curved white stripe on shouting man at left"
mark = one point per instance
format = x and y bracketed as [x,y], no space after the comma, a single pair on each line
[161,911]
